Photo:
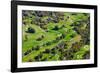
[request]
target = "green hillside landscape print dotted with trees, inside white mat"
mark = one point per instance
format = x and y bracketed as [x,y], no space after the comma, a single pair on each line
[53,36]
